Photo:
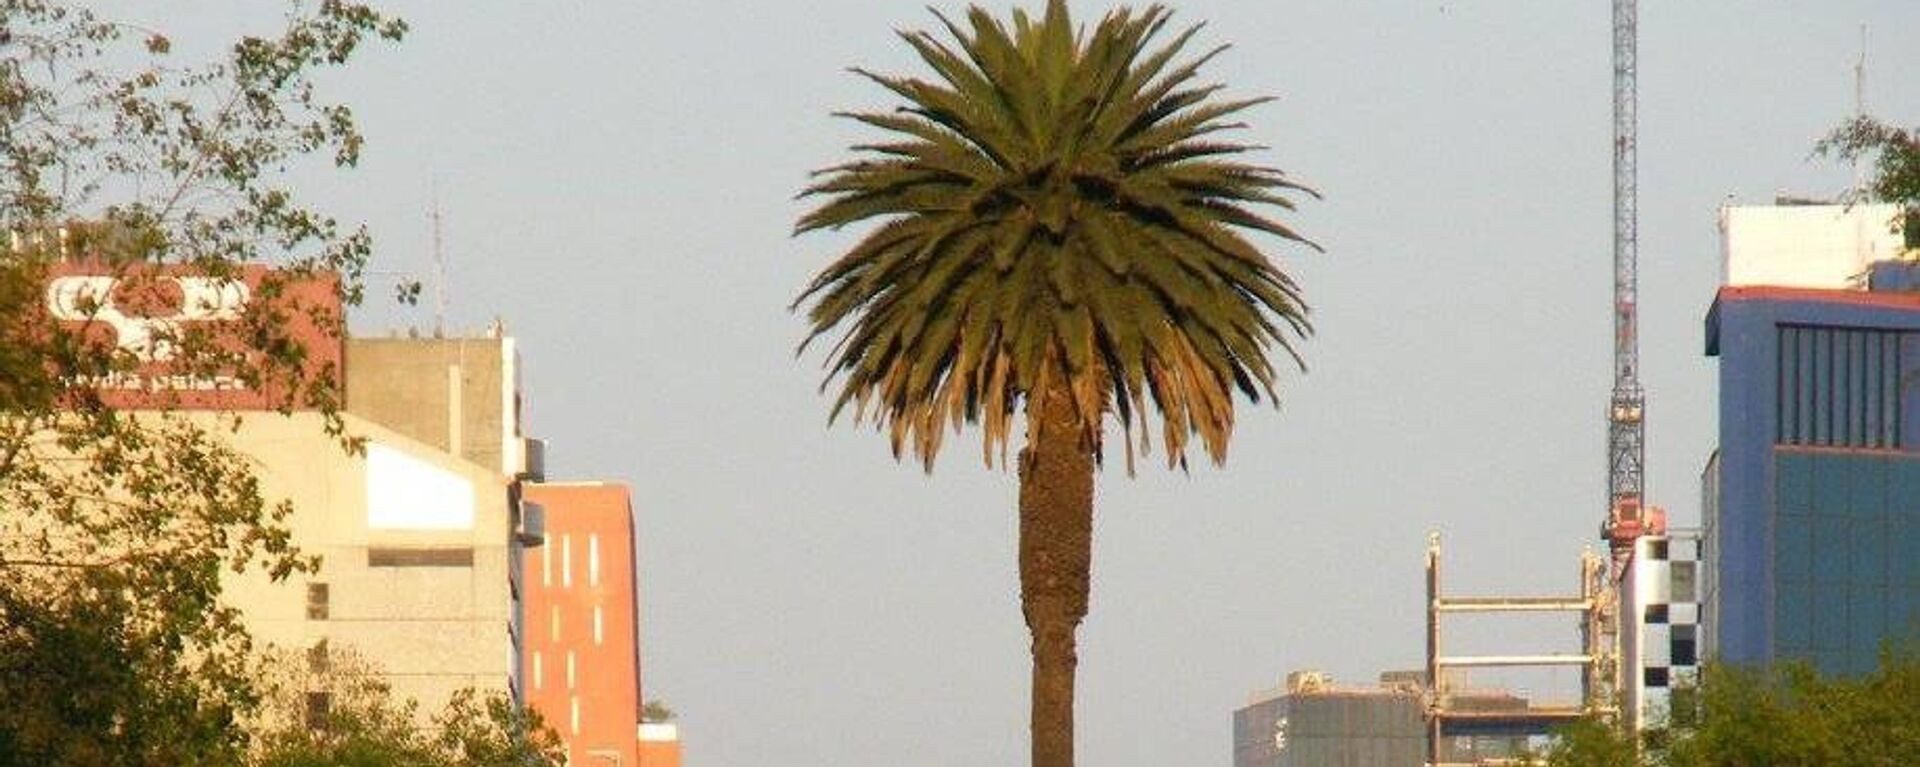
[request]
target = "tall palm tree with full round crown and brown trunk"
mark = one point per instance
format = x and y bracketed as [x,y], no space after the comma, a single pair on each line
[1059,234]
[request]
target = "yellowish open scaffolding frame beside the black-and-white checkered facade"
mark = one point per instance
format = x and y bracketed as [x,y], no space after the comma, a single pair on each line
[1596,660]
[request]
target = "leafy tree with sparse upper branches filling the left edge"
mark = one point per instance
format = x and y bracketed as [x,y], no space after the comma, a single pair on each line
[116,526]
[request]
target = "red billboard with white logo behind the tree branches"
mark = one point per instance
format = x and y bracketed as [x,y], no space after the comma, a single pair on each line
[172,337]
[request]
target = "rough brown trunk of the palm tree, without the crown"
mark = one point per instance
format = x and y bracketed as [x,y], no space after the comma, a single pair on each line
[1055,566]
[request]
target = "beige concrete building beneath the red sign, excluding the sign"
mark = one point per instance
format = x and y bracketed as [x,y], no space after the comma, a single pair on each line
[420,533]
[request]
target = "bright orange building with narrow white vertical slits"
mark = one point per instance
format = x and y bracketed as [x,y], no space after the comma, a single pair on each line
[583,626]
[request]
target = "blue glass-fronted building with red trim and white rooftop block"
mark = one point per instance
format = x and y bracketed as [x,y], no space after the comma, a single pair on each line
[1812,505]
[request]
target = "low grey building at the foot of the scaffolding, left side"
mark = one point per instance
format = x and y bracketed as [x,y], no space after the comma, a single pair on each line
[1314,722]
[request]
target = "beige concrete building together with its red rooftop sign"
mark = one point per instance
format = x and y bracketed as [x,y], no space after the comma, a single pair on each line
[420,528]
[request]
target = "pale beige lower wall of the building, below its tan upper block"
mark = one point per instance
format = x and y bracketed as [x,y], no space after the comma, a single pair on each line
[427,618]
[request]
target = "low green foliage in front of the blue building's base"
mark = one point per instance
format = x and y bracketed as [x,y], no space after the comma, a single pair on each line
[1785,718]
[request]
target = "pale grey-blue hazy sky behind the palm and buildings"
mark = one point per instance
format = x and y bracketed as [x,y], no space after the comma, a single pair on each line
[617,184]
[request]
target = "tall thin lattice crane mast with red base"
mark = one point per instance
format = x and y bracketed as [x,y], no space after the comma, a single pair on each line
[1627,408]
